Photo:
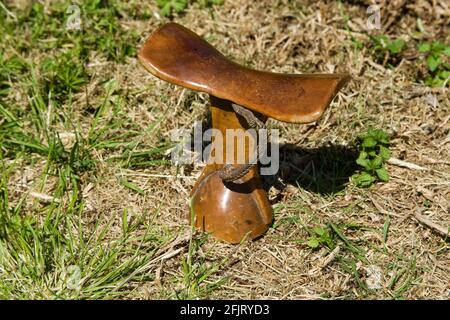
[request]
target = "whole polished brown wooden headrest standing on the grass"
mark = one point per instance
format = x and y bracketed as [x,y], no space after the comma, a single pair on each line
[238,210]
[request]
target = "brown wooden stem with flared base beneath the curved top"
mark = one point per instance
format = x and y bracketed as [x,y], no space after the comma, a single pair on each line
[231,211]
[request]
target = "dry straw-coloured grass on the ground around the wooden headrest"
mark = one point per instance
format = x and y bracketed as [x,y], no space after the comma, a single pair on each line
[411,259]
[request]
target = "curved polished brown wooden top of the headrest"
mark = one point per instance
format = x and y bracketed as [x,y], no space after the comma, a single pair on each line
[177,55]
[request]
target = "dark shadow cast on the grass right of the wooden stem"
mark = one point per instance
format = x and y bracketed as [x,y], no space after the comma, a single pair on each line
[324,170]
